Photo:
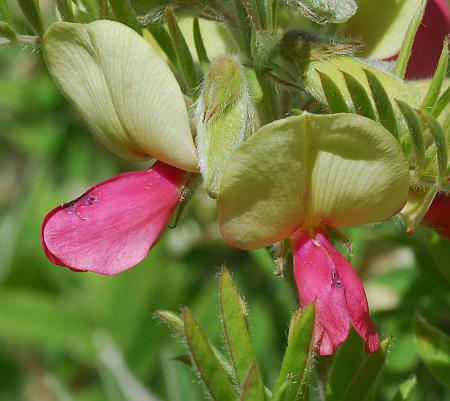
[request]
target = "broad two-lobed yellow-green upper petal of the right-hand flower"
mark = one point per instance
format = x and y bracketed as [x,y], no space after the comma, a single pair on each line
[302,169]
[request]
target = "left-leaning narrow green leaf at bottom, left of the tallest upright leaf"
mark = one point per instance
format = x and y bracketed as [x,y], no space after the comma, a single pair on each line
[212,374]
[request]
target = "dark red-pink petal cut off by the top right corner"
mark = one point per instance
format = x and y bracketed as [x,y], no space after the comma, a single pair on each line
[427,47]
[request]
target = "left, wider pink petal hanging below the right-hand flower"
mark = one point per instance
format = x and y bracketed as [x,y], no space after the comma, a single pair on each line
[314,272]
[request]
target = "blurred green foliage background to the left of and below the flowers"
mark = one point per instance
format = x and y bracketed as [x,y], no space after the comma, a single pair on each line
[78,336]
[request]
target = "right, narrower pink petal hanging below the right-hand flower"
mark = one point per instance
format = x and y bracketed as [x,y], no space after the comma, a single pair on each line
[355,296]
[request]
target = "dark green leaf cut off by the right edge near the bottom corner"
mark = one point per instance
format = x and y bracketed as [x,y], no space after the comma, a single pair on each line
[433,347]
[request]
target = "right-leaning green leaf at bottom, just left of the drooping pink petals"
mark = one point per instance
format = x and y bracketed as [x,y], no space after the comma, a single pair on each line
[297,359]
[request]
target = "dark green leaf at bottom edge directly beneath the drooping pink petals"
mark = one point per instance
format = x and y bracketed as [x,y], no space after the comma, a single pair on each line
[346,363]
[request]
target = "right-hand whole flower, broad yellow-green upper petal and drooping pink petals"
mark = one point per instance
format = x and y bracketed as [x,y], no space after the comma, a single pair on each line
[296,177]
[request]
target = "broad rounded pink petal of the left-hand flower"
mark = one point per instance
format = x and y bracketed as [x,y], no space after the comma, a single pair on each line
[113,225]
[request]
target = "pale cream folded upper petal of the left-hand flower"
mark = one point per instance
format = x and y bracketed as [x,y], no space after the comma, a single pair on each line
[130,120]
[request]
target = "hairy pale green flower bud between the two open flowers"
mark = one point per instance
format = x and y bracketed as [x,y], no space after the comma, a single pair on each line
[224,118]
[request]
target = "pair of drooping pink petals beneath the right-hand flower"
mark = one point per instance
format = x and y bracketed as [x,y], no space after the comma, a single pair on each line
[323,275]
